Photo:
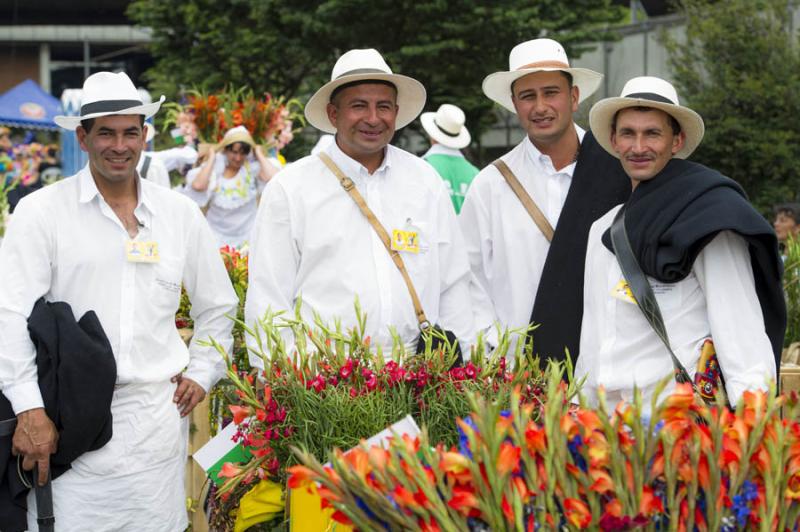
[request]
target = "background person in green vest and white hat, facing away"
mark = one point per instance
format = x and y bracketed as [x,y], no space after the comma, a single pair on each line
[448,135]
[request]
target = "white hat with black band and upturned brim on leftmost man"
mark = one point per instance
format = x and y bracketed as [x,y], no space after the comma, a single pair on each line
[108,93]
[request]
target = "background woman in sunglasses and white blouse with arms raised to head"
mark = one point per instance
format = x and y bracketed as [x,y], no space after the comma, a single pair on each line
[229,186]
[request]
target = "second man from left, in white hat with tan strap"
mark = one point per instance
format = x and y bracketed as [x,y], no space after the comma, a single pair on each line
[313,241]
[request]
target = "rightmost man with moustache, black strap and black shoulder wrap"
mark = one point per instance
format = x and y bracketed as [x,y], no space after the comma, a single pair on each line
[709,258]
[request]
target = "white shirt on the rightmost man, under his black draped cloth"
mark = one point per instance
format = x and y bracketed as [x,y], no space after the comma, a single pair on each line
[717,299]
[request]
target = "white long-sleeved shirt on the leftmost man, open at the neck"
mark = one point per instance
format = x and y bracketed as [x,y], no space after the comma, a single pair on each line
[65,243]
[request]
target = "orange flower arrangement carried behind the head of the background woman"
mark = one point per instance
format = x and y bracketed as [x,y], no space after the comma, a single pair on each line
[206,116]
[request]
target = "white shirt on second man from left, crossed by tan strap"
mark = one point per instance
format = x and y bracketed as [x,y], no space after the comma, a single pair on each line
[312,242]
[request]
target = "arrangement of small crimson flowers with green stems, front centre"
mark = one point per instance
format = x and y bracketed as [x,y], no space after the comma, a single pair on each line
[337,389]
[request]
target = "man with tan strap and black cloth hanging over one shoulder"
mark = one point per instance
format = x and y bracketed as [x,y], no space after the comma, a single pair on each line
[526,217]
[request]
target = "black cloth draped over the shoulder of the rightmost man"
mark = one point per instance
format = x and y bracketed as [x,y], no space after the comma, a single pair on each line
[670,219]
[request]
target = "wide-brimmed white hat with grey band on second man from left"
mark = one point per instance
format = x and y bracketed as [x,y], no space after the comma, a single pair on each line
[366,65]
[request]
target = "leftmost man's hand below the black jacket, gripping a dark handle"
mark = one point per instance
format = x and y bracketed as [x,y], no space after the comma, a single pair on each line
[35,438]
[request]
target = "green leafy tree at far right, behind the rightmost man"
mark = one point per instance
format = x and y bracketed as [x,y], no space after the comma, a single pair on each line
[739,67]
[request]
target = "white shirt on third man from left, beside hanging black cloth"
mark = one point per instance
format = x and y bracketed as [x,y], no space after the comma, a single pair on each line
[506,249]
